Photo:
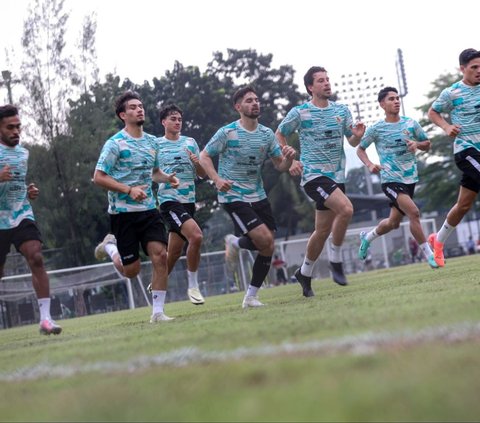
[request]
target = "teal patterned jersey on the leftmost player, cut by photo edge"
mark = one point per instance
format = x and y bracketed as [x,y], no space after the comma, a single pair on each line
[14,204]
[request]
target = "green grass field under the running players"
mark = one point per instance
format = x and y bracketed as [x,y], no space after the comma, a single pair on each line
[395,345]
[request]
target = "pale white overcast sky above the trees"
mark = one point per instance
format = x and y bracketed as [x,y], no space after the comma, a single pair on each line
[142,39]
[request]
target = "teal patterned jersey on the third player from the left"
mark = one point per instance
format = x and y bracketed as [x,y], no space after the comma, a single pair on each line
[173,157]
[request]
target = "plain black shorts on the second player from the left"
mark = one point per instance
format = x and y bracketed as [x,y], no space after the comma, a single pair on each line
[134,228]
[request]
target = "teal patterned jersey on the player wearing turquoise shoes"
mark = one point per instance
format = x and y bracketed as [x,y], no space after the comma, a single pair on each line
[398,164]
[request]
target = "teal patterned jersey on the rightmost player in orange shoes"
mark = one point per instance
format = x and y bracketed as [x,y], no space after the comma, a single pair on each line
[463,103]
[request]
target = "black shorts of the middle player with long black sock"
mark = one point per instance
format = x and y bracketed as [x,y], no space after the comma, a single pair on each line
[247,216]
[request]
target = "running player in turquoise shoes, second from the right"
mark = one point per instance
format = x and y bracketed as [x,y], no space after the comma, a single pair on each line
[396,139]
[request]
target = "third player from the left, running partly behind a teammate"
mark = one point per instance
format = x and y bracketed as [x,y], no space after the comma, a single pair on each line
[180,155]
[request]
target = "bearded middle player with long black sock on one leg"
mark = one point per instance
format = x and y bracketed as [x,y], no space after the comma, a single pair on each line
[242,147]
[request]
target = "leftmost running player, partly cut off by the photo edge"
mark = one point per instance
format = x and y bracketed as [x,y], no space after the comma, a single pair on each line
[17,223]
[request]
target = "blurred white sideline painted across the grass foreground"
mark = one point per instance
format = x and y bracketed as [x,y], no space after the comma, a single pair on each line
[362,344]
